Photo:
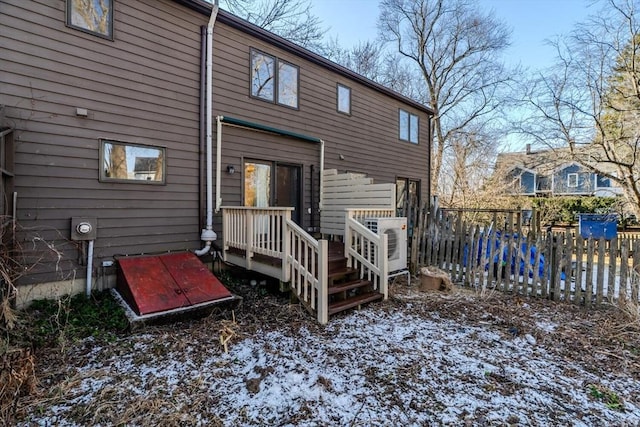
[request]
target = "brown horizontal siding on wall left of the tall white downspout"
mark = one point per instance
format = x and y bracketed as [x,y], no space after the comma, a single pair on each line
[142,87]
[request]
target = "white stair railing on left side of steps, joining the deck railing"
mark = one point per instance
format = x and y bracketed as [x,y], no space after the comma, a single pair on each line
[307,264]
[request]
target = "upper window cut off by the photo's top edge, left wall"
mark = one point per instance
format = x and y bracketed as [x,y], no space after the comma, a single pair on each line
[91,16]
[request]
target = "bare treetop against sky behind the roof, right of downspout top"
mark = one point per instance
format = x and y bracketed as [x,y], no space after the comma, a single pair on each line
[290,19]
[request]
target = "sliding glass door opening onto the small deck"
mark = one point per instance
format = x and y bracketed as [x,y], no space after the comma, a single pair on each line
[273,184]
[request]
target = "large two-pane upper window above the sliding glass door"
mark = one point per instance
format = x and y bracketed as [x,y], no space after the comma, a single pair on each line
[269,73]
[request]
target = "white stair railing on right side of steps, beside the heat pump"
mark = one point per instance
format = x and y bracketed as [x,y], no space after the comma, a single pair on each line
[368,253]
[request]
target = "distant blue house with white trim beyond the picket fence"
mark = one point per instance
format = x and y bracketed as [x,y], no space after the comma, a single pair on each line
[552,173]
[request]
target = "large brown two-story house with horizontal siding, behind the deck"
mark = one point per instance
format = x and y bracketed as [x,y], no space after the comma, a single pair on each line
[110,120]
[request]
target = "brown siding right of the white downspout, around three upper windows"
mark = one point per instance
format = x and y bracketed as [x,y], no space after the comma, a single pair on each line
[367,139]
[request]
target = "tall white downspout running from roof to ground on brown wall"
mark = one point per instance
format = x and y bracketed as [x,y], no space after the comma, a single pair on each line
[208,235]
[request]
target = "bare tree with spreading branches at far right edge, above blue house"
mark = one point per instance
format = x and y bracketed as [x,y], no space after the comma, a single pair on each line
[590,101]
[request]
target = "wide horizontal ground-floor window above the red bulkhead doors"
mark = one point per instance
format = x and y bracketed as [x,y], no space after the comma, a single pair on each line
[126,162]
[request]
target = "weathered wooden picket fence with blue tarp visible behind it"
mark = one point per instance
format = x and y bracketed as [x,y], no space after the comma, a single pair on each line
[512,258]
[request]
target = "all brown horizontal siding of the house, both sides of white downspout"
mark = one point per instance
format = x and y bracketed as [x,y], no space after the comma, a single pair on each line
[144,88]
